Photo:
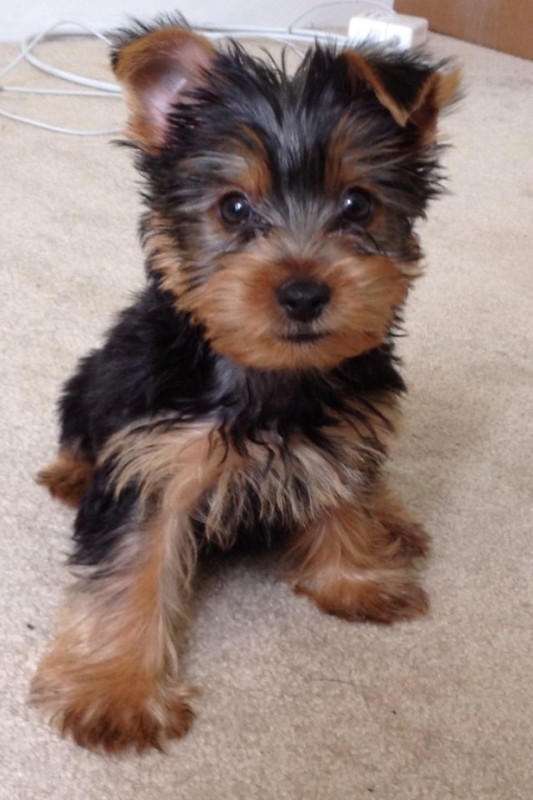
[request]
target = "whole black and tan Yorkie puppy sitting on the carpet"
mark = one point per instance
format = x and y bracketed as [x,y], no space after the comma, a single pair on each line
[251,392]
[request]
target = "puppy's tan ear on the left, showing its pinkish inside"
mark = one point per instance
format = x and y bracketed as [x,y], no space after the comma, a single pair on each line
[158,68]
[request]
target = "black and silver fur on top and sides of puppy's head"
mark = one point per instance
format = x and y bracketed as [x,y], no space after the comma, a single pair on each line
[246,92]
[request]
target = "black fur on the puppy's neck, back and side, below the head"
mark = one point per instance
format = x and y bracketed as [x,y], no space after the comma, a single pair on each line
[156,362]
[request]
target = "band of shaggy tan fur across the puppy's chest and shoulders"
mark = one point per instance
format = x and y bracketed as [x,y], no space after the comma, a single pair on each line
[192,468]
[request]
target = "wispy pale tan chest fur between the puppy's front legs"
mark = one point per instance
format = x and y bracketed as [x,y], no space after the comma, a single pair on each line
[281,485]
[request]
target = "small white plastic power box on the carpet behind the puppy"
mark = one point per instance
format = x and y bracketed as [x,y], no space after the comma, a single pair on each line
[397,30]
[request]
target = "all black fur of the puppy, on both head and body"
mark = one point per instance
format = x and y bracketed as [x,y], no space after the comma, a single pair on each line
[155,359]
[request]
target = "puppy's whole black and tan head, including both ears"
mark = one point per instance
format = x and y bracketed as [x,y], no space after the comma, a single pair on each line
[281,209]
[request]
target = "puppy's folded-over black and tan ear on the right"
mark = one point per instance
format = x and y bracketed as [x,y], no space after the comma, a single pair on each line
[409,88]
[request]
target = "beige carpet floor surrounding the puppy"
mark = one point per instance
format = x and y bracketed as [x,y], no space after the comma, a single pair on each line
[296,705]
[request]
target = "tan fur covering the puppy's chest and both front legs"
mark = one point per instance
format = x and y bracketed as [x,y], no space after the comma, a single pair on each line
[112,678]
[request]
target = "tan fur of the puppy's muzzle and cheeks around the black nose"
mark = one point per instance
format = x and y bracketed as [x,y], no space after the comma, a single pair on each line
[238,307]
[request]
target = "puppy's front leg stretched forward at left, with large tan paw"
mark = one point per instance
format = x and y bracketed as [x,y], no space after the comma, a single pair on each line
[112,676]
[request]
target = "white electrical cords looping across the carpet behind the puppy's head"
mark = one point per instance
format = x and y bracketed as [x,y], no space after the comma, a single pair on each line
[290,36]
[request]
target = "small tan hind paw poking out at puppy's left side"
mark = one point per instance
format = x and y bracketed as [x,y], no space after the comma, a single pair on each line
[68,476]
